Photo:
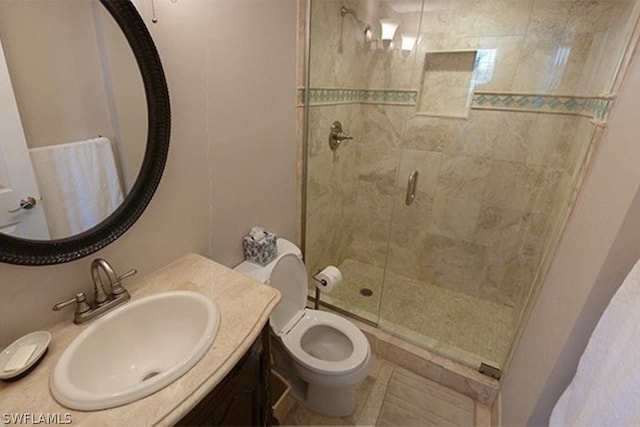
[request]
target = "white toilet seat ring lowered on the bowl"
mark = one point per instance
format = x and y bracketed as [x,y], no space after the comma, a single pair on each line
[292,341]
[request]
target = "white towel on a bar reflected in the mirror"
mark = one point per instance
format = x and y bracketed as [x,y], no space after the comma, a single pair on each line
[78,183]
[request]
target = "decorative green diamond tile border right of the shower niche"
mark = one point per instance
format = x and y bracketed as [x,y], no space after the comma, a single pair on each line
[596,108]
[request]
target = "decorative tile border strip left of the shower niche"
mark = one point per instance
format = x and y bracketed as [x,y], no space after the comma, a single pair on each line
[321,96]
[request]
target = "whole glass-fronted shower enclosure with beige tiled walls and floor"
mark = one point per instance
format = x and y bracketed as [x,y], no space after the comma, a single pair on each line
[471,127]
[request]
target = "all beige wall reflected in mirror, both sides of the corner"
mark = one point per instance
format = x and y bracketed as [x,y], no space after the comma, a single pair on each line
[75,78]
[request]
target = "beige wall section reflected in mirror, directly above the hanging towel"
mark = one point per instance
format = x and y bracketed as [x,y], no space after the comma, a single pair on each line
[55,71]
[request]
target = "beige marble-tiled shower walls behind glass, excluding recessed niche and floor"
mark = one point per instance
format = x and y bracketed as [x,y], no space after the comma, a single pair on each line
[492,186]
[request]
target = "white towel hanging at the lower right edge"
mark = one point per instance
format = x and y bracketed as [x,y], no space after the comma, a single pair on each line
[606,388]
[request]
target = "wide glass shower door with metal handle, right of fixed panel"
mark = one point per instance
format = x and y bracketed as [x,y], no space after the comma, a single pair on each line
[498,134]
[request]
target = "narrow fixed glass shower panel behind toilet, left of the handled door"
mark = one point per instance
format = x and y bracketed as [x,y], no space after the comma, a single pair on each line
[361,81]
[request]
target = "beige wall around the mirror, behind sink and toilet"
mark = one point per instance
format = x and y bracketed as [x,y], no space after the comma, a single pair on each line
[205,74]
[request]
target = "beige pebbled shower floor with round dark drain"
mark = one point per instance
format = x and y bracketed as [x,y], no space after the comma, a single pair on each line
[456,325]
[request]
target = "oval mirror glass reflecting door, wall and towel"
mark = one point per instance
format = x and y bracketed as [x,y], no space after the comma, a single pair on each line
[74,117]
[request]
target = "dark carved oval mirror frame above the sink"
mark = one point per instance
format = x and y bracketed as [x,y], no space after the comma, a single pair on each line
[35,252]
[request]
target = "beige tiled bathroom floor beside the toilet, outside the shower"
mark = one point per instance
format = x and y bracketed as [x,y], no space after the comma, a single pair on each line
[393,396]
